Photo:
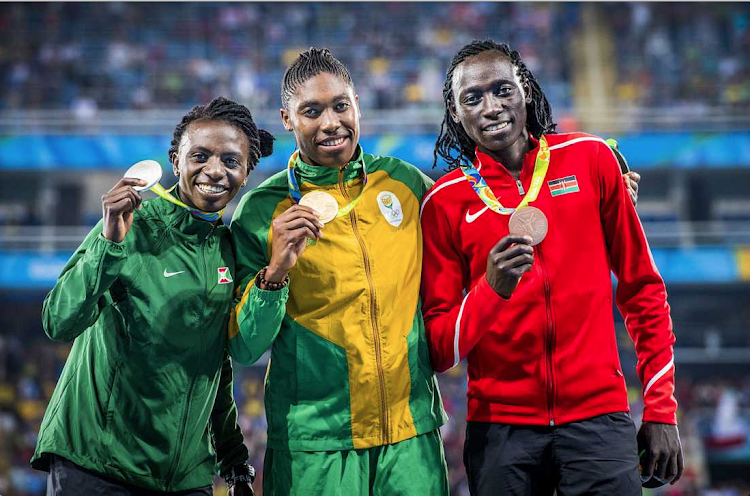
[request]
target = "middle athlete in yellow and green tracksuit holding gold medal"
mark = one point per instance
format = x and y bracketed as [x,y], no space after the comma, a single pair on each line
[352,402]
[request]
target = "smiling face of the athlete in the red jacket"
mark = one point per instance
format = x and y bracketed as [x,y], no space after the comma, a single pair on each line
[489,101]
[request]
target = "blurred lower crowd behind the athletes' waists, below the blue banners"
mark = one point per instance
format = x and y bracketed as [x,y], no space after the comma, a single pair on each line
[713,420]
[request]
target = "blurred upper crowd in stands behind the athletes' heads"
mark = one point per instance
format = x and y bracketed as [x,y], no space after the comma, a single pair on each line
[90,56]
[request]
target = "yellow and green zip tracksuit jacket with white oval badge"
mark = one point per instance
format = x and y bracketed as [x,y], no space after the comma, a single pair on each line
[349,364]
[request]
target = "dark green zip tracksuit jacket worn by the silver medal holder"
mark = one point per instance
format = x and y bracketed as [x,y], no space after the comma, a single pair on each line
[145,396]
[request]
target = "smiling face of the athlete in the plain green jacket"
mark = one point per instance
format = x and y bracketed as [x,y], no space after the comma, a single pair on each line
[211,164]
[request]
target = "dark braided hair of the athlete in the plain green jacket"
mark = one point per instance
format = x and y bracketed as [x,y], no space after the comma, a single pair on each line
[224,110]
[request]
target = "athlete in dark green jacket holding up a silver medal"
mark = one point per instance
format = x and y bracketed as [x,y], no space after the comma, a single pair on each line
[144,404]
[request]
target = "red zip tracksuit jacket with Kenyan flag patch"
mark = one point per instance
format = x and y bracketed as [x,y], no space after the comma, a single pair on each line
[548,354]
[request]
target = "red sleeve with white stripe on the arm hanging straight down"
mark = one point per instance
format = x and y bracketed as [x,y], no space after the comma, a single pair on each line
[641,296]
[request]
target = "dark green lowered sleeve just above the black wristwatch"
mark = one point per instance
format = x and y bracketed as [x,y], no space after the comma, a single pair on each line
[226,432]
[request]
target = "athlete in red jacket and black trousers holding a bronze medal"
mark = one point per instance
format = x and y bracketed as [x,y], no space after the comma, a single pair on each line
[547,403]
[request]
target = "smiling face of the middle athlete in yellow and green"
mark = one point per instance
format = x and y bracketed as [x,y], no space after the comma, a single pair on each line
[324,115]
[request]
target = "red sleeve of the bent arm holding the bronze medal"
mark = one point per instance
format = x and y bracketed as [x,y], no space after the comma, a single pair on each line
[454,321]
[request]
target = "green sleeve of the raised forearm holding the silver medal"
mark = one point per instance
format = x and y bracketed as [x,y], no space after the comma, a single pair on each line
[73,304]
